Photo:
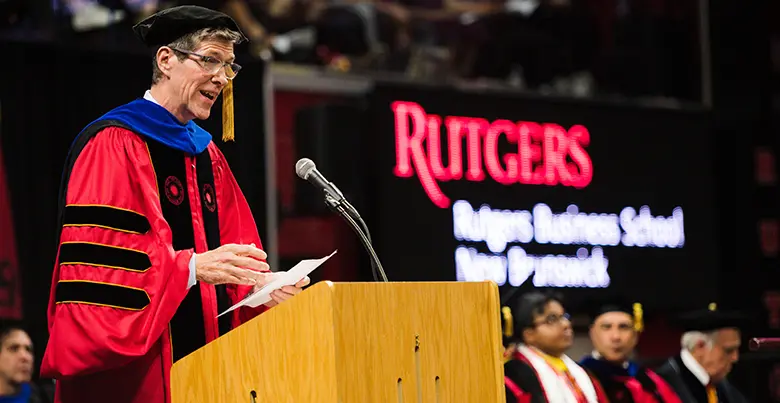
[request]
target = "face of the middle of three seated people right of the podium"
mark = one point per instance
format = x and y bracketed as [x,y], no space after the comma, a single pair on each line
[613,336]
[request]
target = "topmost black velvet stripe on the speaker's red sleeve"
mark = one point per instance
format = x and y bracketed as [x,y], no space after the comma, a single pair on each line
[106,217]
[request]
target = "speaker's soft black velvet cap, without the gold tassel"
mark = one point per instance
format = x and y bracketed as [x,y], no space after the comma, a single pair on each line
[172,23]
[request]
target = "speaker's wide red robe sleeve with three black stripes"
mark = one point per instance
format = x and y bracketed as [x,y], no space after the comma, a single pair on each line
[117,281]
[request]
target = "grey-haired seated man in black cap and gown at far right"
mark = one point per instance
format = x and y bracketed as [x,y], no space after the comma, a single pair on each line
[710,347]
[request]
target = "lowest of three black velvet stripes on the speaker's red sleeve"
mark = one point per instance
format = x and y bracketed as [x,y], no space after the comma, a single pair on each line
[101,294]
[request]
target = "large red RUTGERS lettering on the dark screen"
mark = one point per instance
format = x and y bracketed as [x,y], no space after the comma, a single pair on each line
[546,154]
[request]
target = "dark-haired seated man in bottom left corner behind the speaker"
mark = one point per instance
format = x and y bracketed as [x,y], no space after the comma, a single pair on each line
[16,367]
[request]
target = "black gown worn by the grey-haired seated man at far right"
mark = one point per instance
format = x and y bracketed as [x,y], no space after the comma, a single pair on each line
[690,389]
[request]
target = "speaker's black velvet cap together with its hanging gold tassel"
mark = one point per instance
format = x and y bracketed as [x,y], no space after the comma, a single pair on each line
[172,23]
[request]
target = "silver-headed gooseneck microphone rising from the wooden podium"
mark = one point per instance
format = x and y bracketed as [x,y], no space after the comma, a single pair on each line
[335,200]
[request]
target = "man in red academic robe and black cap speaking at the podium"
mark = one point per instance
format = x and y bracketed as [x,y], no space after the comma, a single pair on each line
[156,236]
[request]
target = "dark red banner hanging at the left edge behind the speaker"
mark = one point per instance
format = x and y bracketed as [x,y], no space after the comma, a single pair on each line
[10,289]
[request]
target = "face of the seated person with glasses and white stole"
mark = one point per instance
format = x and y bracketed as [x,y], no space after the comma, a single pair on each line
[552,331]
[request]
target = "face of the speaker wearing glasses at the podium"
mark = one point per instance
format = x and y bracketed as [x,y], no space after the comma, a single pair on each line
[195,87]
